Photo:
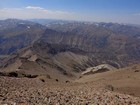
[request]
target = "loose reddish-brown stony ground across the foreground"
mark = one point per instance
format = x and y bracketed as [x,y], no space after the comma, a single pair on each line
[24,91]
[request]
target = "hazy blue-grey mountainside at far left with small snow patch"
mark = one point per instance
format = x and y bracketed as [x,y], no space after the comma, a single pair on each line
[16,34]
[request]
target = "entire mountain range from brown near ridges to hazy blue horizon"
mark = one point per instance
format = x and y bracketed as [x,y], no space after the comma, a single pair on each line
[66,48]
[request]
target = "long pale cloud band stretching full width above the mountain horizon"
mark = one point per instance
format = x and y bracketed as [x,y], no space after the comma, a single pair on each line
[34,12]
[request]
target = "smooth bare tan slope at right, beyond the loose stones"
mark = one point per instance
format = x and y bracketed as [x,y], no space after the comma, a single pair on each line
[125,80]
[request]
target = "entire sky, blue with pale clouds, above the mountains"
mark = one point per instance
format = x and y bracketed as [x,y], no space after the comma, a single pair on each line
[121,11]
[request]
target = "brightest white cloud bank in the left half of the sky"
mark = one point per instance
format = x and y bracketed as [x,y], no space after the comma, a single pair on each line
[31,12]
